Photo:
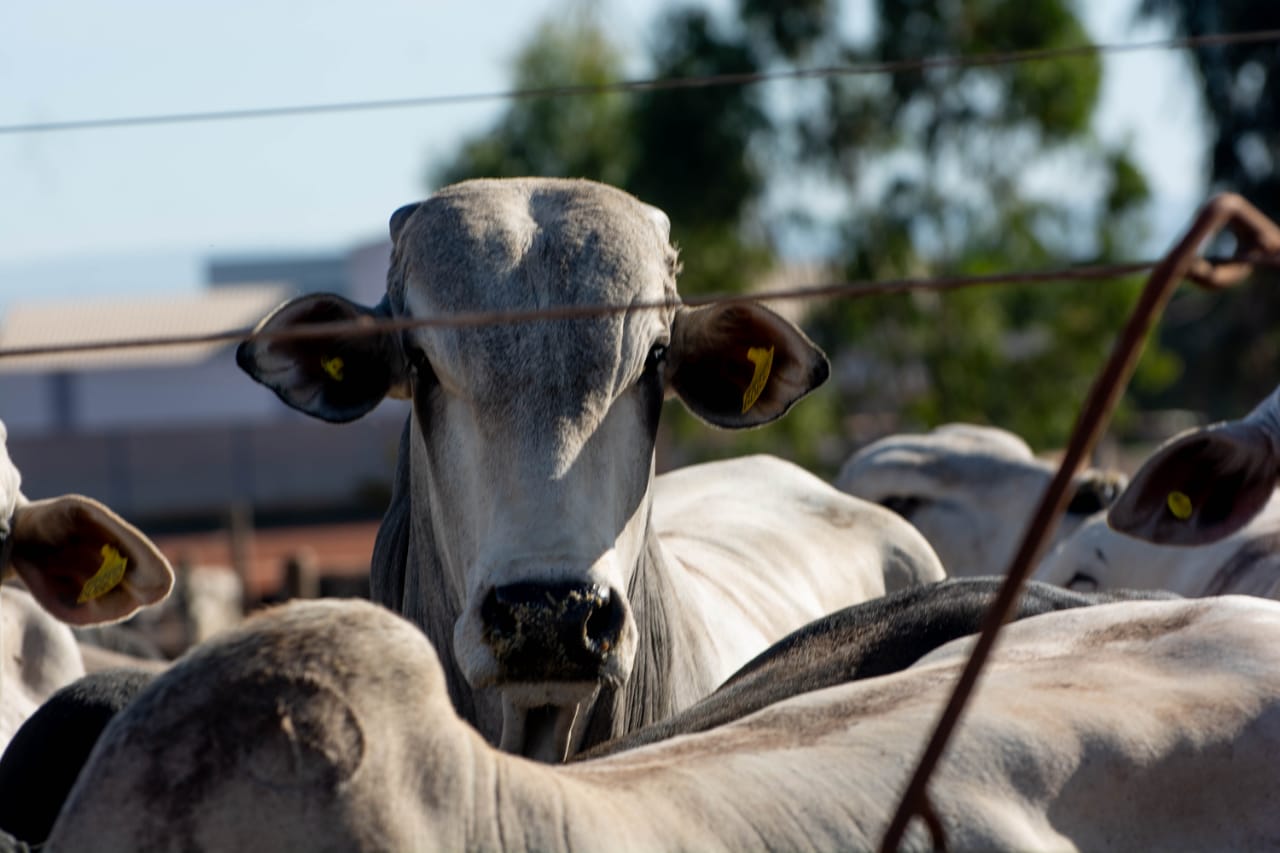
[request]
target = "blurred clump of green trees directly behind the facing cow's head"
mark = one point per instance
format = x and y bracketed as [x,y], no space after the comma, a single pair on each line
[941,171]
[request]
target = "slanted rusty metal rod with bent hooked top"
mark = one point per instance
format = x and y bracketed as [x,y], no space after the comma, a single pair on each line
[1258,241]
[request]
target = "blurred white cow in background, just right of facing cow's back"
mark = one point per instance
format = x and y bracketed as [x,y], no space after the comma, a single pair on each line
[970,490]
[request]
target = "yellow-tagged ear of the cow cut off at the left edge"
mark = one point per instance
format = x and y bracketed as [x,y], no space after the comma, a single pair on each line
[84,563]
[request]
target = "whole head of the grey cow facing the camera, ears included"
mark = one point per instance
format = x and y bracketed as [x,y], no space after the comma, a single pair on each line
[533,441]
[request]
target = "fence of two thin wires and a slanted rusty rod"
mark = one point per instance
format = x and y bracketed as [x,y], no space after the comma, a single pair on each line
[1259,245]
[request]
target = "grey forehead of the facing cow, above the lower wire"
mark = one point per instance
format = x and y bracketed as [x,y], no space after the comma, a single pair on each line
[531,243]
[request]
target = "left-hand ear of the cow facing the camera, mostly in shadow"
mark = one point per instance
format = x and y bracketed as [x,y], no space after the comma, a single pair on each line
[339,377]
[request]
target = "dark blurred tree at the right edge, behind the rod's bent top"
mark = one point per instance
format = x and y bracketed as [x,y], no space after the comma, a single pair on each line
[1231,343]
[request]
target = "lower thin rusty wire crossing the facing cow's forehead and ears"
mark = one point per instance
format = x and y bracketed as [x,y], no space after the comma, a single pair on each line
[368,326]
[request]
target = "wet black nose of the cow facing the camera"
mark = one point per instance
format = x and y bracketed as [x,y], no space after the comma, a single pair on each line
[561,632]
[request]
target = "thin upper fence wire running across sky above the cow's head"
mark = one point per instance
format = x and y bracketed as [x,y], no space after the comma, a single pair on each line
[711,81]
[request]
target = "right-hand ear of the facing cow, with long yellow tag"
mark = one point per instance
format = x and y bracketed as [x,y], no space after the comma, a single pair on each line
[742,366]
